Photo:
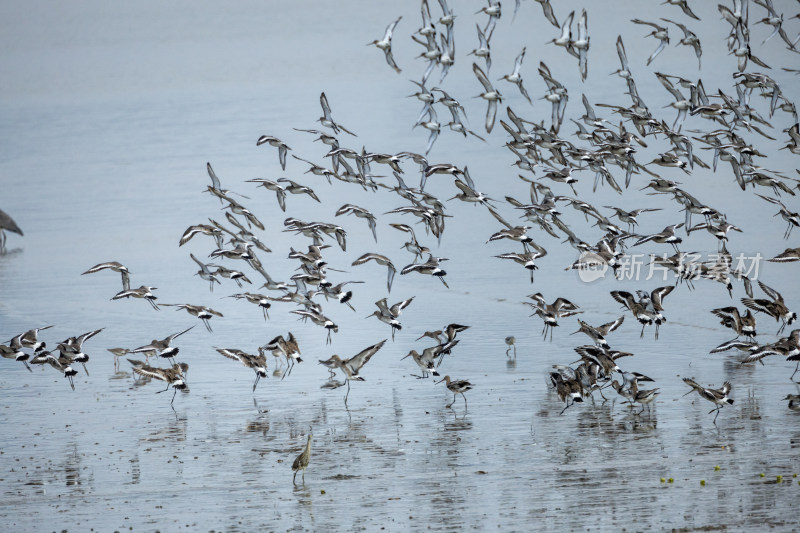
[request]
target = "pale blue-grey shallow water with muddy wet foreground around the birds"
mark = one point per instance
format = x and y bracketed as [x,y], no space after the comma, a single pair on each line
[105,134]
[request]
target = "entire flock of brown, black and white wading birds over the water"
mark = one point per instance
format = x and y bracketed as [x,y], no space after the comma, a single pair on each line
[542,156]
